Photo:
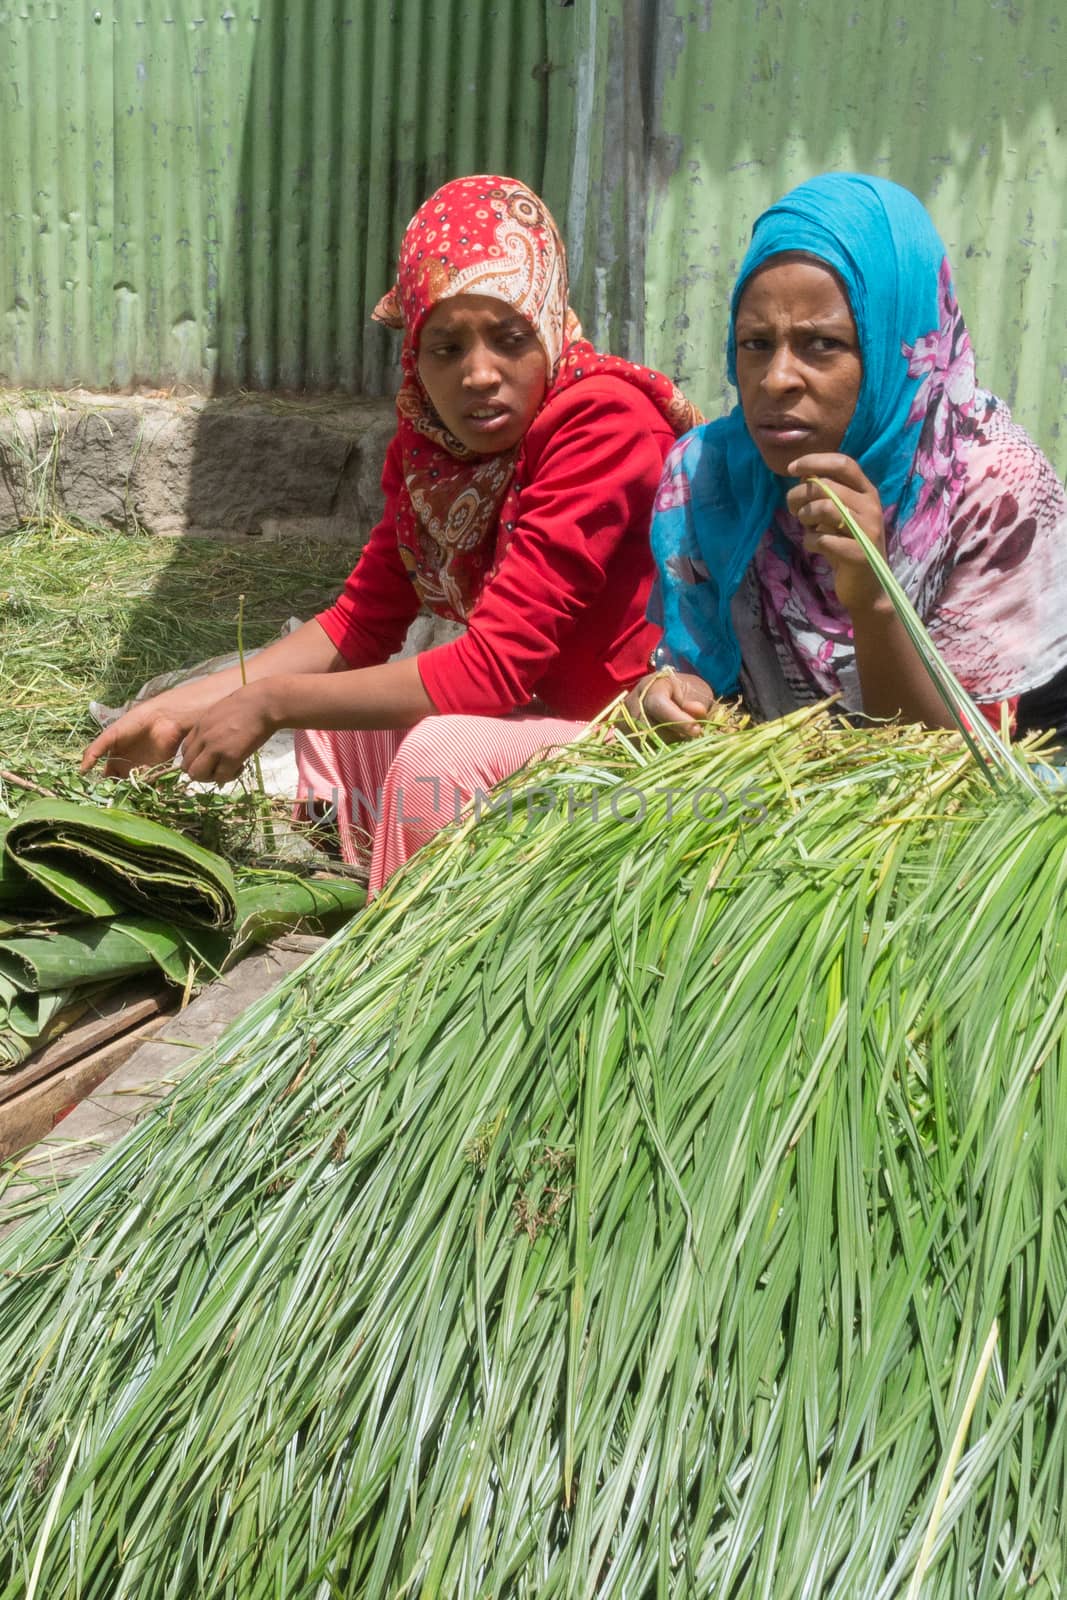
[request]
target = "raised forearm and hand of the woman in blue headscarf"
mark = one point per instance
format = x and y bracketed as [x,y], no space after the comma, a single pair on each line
[892,676]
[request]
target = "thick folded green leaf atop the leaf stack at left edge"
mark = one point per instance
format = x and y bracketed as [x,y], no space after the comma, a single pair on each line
[103,862]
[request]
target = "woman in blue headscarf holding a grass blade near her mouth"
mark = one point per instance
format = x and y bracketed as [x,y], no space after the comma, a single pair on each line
[853,364]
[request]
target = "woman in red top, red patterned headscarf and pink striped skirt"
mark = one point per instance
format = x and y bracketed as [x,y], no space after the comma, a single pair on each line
[519,490]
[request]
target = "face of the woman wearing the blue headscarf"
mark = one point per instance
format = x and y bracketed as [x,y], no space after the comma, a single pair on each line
[799,364]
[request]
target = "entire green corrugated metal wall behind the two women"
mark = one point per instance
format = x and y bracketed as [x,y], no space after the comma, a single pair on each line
[215,193]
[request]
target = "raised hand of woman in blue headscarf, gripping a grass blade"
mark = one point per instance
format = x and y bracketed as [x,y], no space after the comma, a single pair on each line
[855,582]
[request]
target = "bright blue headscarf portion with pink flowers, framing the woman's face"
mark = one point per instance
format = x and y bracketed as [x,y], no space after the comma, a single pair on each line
[719,500]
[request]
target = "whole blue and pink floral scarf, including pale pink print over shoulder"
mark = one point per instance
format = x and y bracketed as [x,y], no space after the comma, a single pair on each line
[975,514]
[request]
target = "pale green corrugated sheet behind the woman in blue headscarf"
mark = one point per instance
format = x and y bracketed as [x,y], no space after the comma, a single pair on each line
[965,103]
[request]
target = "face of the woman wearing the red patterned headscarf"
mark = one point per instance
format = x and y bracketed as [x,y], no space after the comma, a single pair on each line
[484,370]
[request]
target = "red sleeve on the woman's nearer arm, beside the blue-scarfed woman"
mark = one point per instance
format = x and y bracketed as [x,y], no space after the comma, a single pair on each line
[589,473]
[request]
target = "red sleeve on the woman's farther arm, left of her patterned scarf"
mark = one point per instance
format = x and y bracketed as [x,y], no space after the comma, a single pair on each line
[380,602]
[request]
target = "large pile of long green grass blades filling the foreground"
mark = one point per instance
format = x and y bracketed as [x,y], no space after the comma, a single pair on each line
[665,1198]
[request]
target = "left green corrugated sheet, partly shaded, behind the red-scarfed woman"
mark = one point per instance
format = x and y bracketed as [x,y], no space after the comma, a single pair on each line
[215,193]
